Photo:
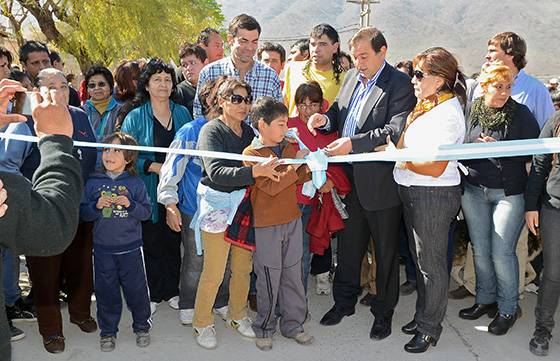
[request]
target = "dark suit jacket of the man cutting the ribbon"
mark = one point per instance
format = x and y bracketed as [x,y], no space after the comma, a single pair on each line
[384,113]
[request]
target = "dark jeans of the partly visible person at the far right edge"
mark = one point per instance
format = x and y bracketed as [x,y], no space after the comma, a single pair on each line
[549,292]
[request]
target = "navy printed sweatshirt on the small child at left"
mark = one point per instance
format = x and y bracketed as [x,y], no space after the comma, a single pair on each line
[116,229]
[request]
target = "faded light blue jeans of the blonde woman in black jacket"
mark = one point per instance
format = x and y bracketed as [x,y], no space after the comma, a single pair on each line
[494,221]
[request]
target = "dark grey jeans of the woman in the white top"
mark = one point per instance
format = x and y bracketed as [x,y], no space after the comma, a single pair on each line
[428,213]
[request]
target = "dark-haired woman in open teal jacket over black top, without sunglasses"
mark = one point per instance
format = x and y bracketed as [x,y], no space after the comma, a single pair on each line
[154,122]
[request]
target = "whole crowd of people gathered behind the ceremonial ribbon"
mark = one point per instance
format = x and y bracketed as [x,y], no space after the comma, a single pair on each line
[216,236]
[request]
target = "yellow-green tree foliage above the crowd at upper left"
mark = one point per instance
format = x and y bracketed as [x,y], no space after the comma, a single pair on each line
[107,31]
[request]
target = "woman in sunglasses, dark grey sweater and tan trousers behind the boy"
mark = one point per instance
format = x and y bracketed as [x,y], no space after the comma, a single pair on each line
[221,191]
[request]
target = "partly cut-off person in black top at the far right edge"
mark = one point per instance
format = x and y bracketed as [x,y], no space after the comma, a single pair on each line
[542,212]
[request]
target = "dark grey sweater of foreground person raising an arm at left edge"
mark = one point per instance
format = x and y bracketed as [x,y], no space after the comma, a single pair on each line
[42,217]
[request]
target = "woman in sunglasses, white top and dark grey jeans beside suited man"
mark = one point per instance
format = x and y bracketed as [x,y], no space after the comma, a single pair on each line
[430,191]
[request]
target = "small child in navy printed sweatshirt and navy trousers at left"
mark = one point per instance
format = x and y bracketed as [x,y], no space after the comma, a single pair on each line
[117,202]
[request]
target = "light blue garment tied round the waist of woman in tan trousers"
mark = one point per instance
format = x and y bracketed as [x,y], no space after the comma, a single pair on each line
[210,200]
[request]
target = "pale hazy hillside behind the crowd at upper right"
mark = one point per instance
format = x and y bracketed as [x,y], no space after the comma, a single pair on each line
[410,26]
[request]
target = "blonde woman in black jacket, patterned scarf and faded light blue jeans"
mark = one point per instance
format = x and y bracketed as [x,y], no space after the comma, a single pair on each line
[493,202]
